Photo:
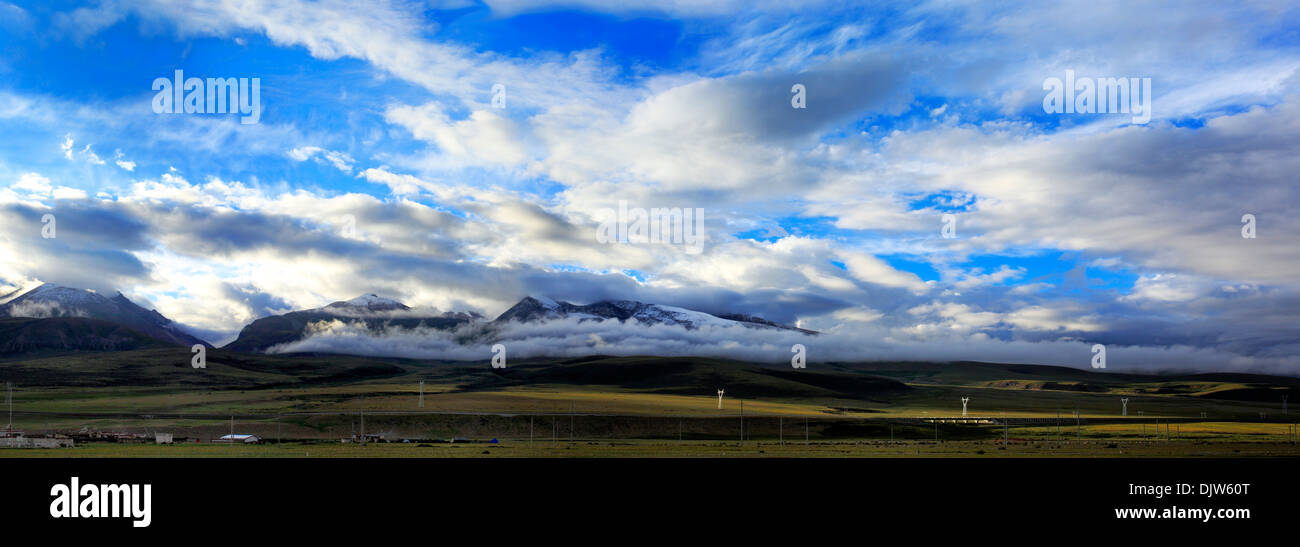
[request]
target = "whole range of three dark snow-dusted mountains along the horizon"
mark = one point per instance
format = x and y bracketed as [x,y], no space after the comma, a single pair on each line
[375,312]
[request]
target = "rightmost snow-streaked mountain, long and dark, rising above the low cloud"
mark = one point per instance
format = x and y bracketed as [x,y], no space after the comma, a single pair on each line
[531,310]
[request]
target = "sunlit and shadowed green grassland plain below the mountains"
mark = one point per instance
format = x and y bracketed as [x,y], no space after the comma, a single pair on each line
[639,407]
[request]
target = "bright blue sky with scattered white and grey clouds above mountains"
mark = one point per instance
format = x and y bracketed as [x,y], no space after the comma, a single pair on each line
[380,164]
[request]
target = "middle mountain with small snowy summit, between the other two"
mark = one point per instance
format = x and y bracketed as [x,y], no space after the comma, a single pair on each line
[376,312]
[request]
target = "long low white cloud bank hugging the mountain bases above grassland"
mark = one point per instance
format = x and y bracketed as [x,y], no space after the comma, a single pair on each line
[575,338]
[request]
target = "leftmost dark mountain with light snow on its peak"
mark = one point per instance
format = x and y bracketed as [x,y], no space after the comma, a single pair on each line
[53,301]
